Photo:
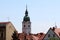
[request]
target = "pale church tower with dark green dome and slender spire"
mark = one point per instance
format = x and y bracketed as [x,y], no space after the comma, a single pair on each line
[26,24]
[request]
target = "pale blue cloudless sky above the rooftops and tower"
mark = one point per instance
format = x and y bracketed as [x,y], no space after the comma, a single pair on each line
[43,13]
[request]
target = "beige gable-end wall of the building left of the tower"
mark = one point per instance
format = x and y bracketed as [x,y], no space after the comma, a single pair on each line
[9,31]
